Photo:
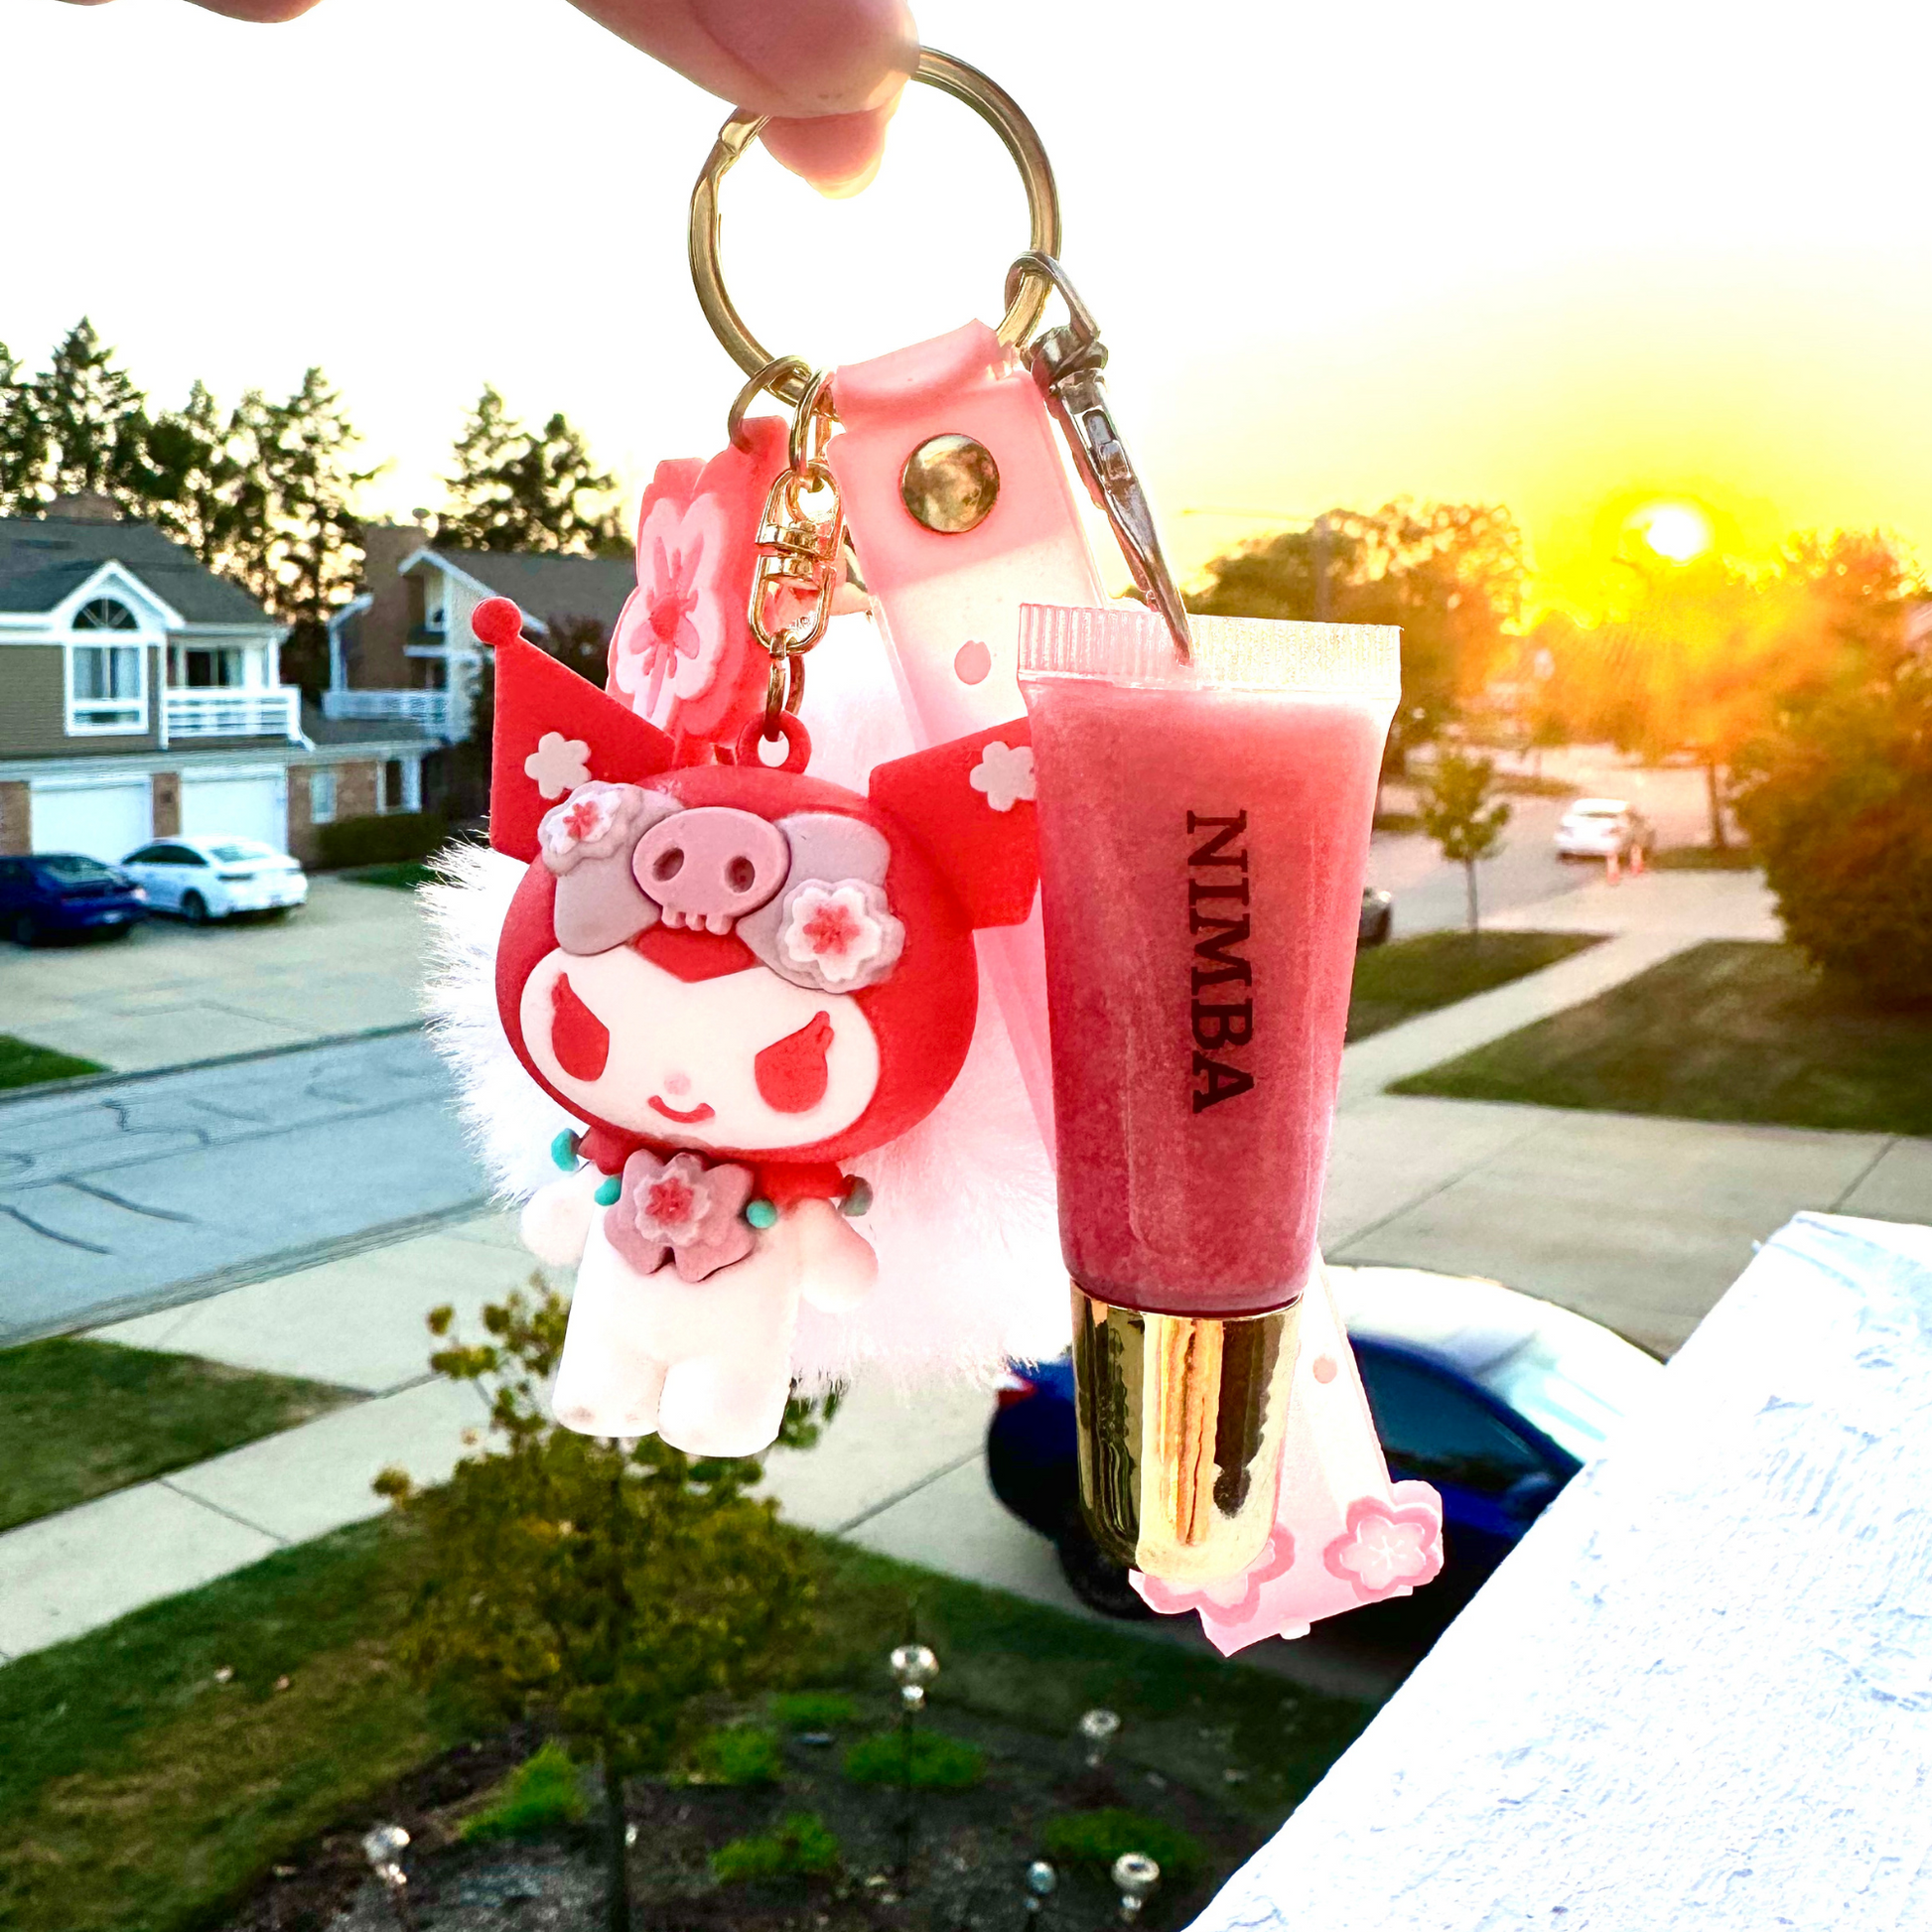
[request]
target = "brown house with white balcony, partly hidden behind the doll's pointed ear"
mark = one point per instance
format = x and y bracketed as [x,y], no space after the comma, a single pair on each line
[405,648]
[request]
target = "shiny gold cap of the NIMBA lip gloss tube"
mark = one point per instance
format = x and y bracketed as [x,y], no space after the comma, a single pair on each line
[1181,1429]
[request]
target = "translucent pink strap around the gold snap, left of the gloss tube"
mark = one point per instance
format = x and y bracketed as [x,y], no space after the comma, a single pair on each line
[950,602]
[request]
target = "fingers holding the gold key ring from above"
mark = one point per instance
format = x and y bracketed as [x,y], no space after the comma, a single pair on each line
[830,72]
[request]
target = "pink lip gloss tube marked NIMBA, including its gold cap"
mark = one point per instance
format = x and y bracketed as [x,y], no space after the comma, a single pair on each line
[1203,843]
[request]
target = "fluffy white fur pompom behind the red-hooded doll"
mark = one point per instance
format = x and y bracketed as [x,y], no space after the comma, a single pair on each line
[963,1214]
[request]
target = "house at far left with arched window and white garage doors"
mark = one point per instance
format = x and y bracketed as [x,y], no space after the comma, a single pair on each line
[142,698]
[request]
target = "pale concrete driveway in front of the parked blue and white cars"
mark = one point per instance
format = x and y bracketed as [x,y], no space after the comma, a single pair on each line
[173,994]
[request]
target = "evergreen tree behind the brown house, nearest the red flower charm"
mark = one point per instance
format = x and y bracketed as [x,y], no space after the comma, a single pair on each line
[521,492]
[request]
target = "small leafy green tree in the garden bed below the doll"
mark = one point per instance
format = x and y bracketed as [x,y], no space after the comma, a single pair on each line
[604,1587]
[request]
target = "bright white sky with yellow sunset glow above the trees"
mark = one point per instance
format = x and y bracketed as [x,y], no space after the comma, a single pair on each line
[1574,260]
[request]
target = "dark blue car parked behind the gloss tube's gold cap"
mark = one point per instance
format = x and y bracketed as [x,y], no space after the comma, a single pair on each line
[1491,1396]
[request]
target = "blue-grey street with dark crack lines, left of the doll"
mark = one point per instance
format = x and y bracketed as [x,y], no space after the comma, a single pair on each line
[132,1193]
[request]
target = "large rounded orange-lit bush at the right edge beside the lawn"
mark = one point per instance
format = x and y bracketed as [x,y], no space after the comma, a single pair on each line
[1838,805]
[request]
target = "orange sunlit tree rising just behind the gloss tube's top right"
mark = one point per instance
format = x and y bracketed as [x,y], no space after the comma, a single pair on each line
[1450,575]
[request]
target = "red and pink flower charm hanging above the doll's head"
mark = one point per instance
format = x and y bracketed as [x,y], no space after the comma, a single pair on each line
[683,654]
